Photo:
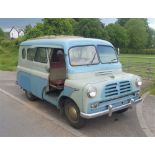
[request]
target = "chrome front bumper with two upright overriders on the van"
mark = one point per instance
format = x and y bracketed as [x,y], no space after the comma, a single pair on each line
[110,109]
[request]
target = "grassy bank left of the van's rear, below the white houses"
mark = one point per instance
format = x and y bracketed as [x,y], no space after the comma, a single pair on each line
[8,58]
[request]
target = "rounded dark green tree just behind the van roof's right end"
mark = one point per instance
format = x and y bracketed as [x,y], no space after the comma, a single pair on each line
[117,35]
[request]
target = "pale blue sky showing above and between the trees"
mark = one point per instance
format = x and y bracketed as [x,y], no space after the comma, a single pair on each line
[7,23]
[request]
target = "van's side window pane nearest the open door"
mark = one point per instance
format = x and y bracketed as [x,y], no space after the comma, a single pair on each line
[41,55]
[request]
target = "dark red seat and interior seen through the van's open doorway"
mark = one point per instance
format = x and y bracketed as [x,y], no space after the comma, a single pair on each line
[57,70]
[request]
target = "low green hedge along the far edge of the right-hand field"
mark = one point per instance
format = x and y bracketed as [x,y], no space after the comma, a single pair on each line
[137,51]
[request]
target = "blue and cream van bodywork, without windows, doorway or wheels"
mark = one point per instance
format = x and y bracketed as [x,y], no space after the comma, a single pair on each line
[116,89]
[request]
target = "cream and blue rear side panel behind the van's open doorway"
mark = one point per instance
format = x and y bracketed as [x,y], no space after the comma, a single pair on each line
[32,76]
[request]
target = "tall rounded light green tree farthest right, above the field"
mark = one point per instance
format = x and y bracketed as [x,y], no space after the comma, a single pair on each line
[137,31]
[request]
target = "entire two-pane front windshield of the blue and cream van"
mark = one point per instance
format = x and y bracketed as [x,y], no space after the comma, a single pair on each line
[87,55]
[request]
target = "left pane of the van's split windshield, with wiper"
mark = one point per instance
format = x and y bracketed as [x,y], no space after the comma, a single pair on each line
[83,55]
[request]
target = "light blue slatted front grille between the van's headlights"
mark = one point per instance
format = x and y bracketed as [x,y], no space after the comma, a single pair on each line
[117,88]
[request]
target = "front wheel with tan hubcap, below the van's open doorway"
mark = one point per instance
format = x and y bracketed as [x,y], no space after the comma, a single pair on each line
[72,113]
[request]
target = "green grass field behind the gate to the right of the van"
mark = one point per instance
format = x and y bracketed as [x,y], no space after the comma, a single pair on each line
[143,65]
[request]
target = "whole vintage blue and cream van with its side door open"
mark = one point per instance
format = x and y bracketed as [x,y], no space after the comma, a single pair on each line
[80,76]
